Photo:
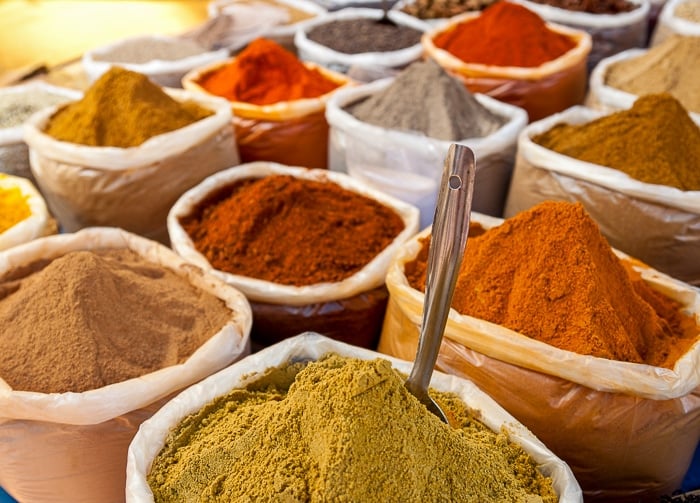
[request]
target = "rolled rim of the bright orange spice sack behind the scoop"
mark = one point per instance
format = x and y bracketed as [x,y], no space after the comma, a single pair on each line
[600,374]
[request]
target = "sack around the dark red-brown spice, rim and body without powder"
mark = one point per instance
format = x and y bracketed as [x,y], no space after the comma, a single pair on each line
[351,310]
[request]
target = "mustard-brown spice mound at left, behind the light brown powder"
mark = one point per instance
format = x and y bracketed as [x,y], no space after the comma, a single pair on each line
[122,109]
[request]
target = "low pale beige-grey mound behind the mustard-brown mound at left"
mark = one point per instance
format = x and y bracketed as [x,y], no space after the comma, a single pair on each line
[144,49]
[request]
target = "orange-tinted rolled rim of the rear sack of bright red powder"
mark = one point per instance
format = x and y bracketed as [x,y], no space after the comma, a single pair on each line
[576,55]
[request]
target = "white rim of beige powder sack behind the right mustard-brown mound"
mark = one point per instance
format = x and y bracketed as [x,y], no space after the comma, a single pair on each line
[610,99]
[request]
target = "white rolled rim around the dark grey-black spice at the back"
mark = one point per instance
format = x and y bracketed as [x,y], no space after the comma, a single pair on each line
[310,50]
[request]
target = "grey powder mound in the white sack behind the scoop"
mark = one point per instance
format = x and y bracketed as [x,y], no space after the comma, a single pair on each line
[424,98]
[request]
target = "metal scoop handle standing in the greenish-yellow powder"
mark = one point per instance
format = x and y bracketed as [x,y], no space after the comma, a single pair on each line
[447,243]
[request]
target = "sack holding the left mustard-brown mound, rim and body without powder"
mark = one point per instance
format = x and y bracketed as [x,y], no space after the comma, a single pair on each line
[132,188]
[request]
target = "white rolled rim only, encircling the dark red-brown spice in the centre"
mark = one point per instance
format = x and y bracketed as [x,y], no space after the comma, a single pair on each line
[369,277]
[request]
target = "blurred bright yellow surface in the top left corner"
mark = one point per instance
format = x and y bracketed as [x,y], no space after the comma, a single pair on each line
[35,33]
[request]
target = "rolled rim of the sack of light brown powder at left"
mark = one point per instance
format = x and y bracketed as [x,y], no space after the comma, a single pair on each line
[108,402]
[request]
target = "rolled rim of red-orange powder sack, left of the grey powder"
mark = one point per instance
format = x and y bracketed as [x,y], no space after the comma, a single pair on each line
[282,110]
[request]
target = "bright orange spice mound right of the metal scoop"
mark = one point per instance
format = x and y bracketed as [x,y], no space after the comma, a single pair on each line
[549,274]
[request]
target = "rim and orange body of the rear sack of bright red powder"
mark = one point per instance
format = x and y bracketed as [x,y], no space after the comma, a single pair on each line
[549,88]
